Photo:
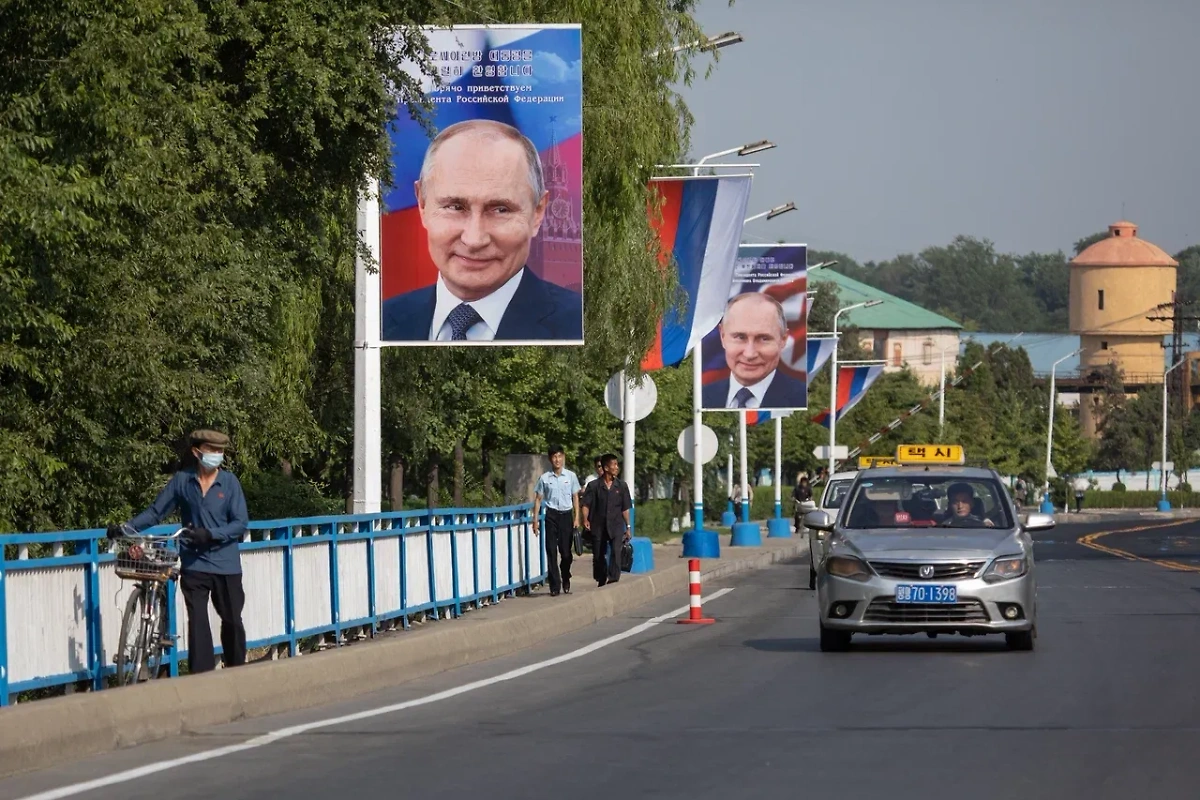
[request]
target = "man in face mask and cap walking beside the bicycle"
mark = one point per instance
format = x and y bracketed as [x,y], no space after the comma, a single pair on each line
[213,509]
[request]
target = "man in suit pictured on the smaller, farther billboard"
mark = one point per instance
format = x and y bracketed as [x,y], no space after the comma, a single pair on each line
[754,334]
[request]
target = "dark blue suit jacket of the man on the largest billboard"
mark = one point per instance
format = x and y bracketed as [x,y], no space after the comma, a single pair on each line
[539,311]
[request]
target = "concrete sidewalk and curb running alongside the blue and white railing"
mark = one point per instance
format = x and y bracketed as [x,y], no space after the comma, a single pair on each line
[39,735]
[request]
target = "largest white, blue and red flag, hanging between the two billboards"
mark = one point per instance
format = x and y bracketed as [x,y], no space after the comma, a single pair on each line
[700,227]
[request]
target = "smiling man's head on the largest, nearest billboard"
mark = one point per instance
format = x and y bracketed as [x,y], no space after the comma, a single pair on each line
[482,207]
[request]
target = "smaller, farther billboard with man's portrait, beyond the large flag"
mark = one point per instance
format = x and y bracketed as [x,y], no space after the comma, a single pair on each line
[757,357]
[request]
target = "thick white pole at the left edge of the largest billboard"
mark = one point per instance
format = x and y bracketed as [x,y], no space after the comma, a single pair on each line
[368,428]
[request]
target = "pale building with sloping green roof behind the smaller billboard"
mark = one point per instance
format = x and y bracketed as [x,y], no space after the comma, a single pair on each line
[897,332]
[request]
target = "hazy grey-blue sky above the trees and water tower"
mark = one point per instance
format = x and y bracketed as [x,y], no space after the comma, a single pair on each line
[904,123]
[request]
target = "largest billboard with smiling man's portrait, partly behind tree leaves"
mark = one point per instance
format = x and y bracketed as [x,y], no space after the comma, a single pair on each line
[482,232]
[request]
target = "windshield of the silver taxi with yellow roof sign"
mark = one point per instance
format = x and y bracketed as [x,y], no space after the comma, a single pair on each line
[927,501]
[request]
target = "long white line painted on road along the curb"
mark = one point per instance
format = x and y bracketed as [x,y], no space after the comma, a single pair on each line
[295,731]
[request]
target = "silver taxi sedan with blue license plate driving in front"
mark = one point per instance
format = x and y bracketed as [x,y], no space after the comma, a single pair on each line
[923,550]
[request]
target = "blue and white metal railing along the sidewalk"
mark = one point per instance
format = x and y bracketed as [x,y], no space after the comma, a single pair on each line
[305,578]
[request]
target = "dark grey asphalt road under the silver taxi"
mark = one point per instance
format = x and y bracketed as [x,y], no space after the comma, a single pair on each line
[1106,707]
